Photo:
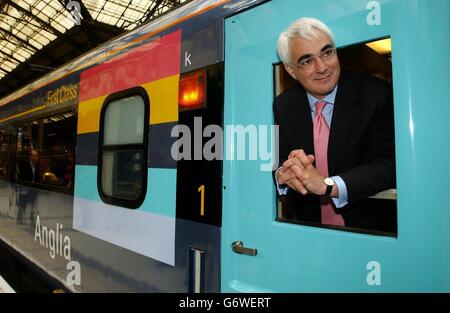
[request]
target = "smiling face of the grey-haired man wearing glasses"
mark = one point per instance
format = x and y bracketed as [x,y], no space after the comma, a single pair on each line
[322,75]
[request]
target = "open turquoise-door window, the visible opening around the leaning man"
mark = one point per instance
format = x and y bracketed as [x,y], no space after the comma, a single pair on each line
[373,58]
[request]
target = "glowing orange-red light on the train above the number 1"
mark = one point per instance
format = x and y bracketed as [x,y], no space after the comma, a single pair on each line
[192,92]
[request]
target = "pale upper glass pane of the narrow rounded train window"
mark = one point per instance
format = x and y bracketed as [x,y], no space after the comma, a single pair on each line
[124,121]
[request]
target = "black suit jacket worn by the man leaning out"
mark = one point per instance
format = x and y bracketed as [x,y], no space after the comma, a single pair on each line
[360,149]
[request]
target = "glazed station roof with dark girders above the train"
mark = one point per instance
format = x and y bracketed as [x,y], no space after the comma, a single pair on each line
[37,36]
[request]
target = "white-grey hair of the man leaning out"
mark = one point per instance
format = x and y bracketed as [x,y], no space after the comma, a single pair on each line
[306,28]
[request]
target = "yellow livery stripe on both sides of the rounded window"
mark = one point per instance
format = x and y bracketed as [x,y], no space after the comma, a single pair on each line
[163,95]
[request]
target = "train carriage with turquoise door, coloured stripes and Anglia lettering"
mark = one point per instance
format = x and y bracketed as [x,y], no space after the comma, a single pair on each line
[152,157]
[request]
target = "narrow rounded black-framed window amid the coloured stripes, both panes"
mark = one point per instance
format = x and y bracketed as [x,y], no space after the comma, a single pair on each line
[122,171]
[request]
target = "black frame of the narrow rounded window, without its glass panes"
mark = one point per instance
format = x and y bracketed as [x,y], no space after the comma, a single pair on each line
[131,204]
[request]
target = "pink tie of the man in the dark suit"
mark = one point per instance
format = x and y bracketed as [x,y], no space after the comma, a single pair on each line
[321,134]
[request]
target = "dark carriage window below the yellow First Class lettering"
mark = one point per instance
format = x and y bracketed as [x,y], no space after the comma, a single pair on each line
[45,151]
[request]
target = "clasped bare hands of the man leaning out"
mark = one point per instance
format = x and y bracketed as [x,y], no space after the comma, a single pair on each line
[299,173]
